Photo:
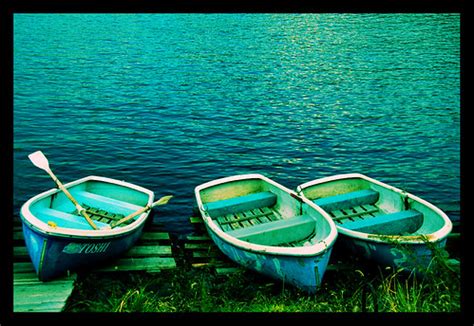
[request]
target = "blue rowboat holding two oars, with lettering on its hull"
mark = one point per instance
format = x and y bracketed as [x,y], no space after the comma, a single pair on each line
[82,223]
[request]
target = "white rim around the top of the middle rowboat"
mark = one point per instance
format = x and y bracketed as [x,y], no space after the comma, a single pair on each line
[313,250]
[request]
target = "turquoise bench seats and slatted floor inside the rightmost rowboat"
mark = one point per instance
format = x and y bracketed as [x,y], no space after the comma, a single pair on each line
[358,211]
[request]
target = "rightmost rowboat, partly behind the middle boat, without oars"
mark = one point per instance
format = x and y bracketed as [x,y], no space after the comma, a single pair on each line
[380,222]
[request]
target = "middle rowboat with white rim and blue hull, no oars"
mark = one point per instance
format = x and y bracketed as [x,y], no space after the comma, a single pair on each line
[266,227]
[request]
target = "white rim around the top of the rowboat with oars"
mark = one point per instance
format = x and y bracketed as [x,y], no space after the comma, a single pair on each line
[41,227]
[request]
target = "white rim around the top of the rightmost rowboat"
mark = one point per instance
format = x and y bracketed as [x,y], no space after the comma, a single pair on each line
[437,236]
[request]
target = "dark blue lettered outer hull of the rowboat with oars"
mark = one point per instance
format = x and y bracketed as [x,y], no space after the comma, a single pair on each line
[54,256]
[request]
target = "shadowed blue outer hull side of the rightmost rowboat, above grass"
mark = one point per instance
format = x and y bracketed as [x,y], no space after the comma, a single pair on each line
[410,257]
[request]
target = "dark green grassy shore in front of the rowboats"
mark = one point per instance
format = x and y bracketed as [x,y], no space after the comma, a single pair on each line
[360,288]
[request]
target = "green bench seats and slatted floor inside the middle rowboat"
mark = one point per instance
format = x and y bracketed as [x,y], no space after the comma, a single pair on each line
[254,218]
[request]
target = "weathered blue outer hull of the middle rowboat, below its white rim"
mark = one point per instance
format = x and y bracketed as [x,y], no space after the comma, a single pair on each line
[305,273]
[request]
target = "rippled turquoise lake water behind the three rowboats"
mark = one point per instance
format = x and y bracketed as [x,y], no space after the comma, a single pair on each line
[169,101]
